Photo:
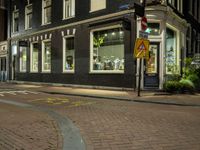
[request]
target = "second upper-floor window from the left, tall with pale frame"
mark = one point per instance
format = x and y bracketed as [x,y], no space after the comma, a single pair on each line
[28,17]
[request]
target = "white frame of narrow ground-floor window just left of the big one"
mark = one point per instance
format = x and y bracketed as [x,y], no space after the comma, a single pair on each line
[64,52]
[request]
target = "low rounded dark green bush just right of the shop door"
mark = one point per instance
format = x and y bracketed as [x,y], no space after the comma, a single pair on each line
[172,86]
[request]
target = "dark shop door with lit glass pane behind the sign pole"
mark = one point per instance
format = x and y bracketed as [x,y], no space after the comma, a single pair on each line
[151,71]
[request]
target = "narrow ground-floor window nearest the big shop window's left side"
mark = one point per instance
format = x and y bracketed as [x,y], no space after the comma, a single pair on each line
[68,54]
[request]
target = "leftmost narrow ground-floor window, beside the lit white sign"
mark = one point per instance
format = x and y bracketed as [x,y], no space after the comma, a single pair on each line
[23,59]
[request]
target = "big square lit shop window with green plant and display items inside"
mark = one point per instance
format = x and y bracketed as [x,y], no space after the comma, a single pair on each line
[107,50]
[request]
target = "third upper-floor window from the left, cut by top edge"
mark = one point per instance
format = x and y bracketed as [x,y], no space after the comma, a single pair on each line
[46,11]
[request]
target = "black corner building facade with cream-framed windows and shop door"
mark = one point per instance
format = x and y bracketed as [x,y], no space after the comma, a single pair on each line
[91,42]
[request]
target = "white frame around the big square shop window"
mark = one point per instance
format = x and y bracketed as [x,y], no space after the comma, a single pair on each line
[91,53]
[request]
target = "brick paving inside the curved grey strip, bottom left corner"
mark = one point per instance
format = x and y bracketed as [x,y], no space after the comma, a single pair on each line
[25,129]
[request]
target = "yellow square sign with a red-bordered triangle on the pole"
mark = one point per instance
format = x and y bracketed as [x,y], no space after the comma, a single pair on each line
[141,49]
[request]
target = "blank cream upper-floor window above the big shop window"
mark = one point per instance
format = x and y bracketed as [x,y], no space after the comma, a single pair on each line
[96,5]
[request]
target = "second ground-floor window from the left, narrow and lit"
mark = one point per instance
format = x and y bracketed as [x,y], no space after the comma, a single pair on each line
[34,57]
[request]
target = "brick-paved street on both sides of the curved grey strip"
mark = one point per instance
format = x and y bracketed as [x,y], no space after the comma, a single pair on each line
[104,124]
